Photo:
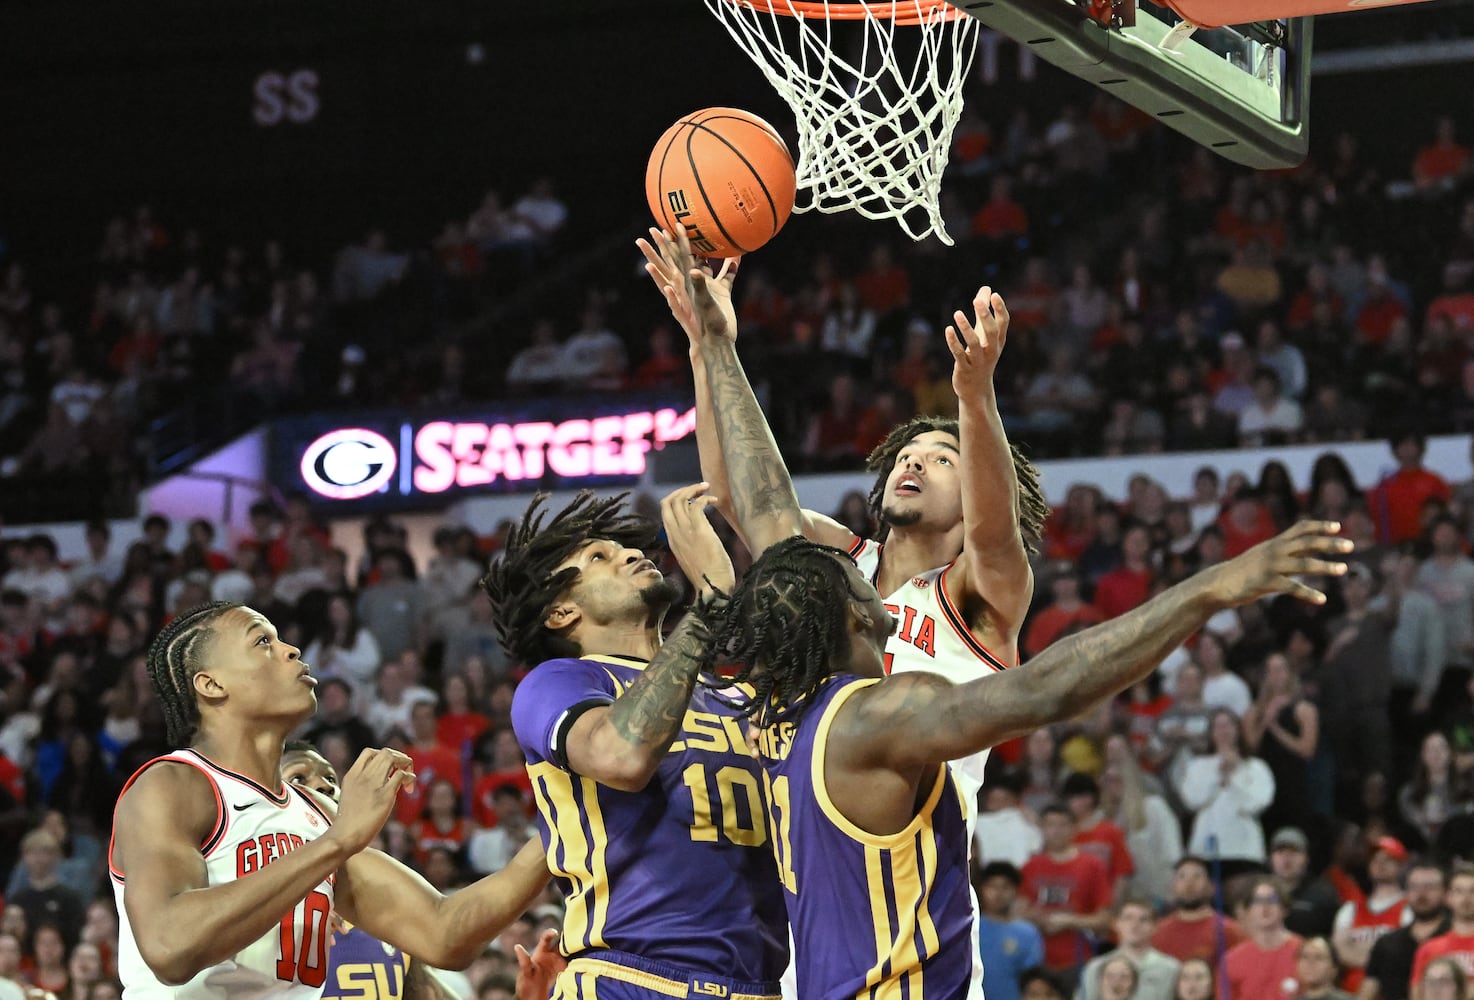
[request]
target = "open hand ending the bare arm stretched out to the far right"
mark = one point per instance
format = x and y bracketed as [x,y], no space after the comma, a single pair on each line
[1276,567]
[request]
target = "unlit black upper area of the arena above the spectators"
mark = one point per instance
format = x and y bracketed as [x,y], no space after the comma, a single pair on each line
[104,107]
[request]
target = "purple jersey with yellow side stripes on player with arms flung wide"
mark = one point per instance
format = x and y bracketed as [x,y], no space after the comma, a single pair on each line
[875,917]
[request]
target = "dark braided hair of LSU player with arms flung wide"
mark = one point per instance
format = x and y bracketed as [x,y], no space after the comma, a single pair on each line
[785,631]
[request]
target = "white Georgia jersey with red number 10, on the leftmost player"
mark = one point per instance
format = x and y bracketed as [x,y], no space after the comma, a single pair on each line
[253,830]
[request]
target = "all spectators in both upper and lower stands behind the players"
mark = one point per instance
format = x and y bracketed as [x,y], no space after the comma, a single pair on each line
[1234,827]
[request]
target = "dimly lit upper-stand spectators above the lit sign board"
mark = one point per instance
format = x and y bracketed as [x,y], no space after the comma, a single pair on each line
[1212,308]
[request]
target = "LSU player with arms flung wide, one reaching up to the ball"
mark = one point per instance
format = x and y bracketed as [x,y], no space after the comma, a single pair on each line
[867,822]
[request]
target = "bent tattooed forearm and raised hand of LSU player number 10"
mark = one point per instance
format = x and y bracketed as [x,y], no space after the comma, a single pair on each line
[623,744]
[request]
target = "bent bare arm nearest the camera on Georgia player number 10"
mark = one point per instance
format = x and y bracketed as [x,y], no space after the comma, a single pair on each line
[181,921]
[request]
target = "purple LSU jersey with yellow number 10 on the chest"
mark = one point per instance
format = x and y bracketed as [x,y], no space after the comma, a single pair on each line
[679,872]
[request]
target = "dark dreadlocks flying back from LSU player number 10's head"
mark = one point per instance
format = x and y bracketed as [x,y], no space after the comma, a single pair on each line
[524,583]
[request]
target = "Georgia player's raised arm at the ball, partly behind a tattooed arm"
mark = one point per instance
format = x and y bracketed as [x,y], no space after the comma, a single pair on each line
[667,268]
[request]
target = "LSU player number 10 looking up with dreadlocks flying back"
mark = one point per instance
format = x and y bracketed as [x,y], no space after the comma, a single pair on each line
[649,805]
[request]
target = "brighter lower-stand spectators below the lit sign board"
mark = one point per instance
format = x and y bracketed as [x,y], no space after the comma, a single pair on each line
[1286,788]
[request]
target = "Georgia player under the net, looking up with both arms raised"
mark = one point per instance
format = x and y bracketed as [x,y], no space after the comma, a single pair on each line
[959,508]
